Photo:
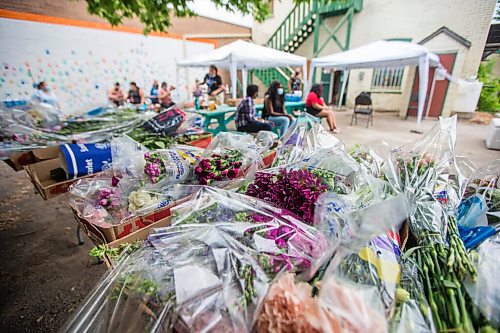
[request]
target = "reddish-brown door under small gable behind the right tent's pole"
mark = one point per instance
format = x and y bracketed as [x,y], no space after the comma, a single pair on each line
[440,89]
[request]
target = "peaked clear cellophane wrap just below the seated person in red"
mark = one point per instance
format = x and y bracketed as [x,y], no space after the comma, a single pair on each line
[304,137]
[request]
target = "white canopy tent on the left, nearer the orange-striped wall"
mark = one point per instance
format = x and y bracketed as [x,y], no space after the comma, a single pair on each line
[244,56]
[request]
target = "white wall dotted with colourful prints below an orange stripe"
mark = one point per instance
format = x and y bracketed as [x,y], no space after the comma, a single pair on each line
[81,64]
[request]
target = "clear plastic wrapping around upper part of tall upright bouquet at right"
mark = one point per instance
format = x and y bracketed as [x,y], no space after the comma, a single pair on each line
[421,171]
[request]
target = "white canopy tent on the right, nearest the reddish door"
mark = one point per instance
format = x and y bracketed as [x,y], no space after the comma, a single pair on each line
[383,54]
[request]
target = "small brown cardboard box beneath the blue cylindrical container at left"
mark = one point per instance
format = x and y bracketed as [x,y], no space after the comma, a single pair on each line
[39,174]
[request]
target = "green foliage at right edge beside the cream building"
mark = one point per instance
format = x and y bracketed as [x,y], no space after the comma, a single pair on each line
[489,101]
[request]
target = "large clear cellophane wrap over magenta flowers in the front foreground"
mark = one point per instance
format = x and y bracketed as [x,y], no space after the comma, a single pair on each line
[208,272]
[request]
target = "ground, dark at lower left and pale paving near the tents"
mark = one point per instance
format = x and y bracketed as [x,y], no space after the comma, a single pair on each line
[45,274]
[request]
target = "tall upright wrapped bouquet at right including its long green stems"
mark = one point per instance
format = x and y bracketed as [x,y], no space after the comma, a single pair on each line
[427,173]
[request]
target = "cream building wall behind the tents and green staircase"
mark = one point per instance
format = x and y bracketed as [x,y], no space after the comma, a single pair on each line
[386,19]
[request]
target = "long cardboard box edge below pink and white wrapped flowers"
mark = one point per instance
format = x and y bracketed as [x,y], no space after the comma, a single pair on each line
[104,235]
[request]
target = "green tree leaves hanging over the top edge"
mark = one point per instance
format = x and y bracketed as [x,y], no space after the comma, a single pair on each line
[156,14]
